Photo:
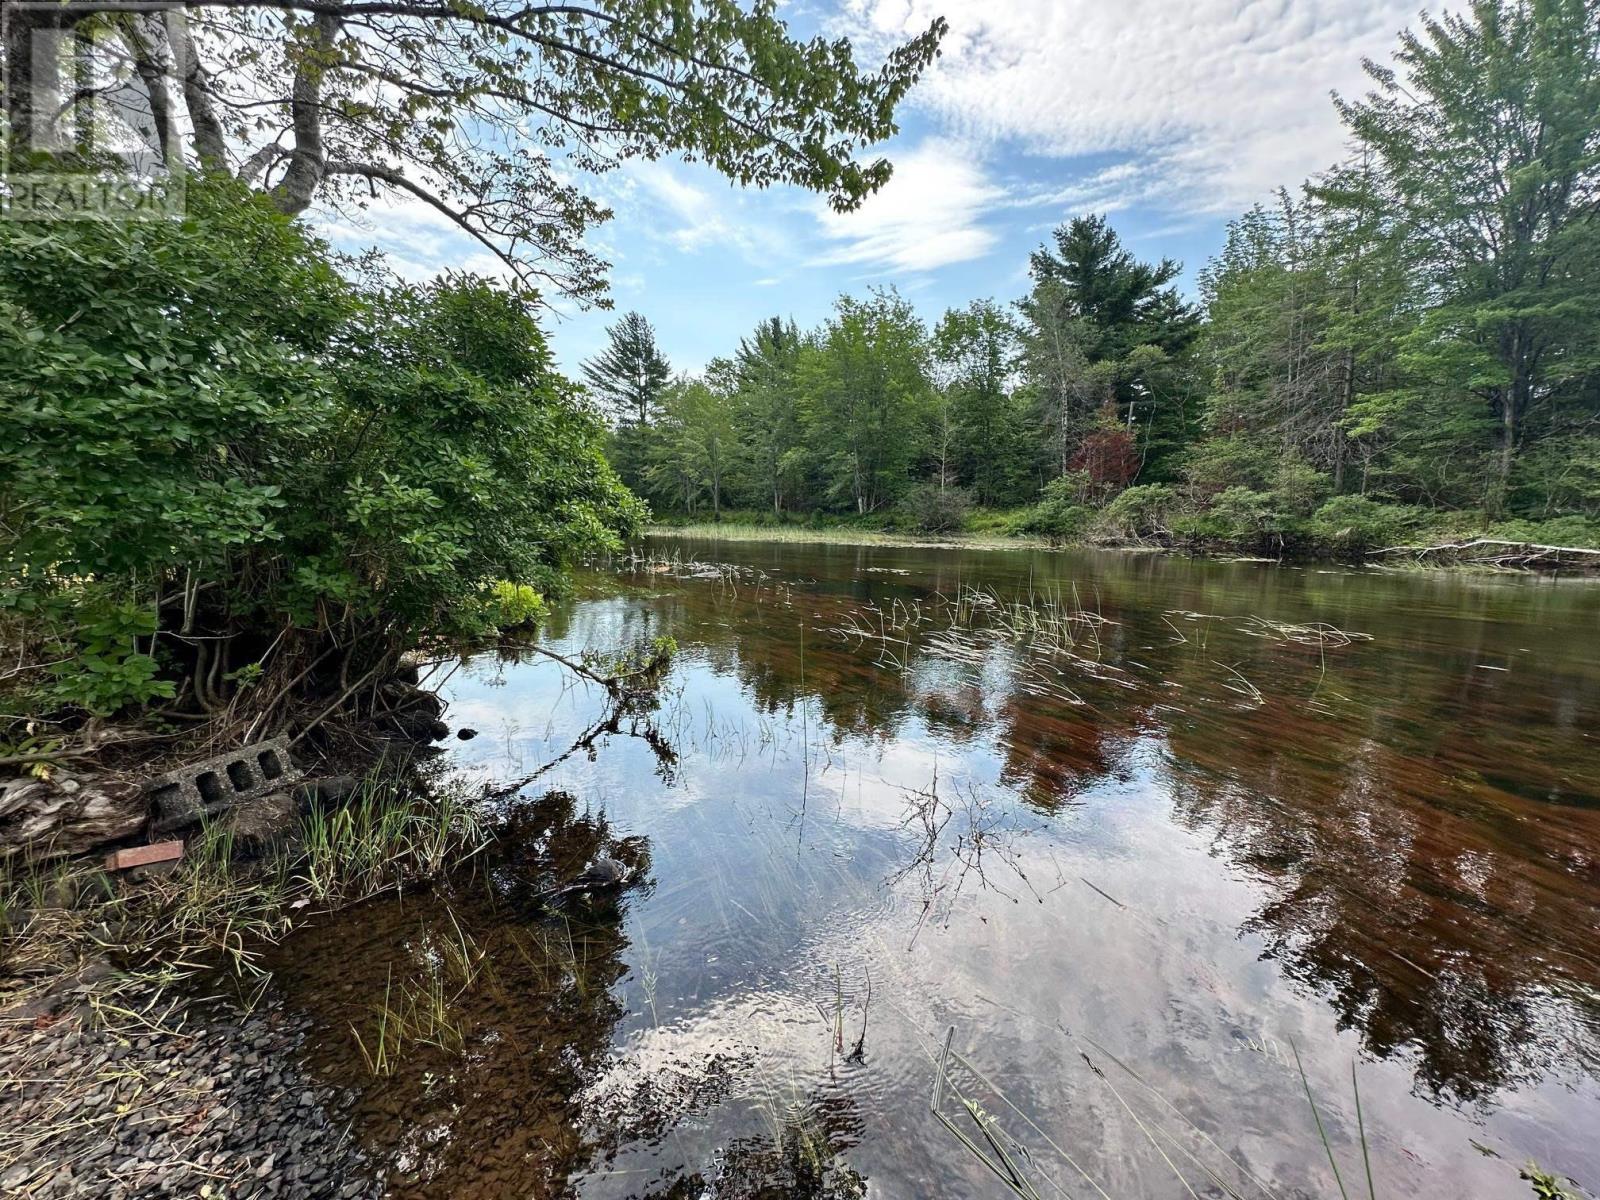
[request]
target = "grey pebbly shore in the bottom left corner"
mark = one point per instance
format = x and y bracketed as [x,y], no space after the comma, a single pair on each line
[198,1098]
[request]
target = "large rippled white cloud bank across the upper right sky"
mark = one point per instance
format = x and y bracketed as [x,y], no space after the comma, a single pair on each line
[1218,102]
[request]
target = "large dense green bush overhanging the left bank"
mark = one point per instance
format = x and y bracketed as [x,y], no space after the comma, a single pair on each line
[226,462]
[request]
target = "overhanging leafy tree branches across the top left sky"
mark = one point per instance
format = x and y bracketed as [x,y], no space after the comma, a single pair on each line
[487,111]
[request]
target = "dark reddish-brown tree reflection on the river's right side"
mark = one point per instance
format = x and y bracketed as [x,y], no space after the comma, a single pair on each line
[1423,828]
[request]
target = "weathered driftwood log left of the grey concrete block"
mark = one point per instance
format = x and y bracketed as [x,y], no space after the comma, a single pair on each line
[68,815]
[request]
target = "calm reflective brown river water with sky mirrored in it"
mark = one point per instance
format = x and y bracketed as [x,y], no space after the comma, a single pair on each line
[1135,862]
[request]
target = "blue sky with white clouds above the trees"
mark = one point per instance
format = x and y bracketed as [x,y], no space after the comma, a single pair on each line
[1169,116]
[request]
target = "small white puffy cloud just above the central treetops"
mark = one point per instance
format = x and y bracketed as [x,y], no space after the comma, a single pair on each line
[929,215]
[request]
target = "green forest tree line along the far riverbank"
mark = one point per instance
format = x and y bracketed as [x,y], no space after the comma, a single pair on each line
[1407,346]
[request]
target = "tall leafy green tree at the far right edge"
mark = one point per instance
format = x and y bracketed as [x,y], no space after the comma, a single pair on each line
[1487,150]
